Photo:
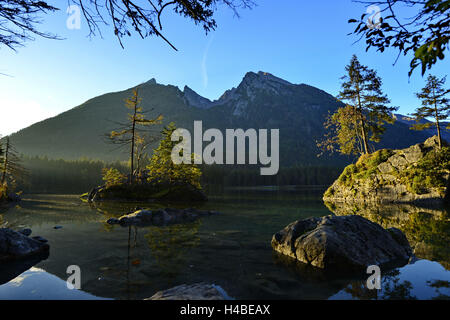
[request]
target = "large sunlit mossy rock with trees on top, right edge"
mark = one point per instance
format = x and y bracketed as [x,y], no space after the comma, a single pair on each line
[418,174]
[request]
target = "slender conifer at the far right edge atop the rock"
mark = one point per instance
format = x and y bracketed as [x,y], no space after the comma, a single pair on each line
[435,105]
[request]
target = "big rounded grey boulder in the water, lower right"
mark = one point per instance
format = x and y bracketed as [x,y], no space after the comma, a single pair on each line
[342,243]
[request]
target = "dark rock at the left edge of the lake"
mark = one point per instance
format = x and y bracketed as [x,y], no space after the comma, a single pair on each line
[16,245]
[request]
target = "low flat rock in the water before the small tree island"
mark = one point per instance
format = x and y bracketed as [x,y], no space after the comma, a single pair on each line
[160,217]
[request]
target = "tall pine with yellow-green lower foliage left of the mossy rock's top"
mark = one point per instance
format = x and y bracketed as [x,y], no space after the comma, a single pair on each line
[350,128]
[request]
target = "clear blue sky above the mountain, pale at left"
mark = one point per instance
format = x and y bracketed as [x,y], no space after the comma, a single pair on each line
[299,41]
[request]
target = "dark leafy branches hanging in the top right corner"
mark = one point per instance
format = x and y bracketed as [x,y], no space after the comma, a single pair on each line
[426,33]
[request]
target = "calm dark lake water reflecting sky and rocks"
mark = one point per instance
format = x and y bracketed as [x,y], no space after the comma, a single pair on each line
[231,250]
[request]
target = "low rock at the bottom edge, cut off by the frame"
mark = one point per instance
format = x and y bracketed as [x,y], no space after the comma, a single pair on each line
[199,291]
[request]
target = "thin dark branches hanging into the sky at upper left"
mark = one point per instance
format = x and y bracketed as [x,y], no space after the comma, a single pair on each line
[19,19]
